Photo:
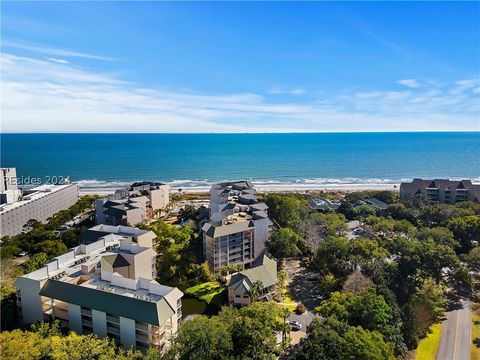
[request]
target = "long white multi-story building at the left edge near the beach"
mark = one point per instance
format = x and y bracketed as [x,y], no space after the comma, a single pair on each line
[38,203]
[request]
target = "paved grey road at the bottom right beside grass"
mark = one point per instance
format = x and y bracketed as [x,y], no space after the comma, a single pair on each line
[456,337]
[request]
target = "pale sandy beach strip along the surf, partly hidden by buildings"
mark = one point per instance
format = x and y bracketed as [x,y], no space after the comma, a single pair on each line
[280,188]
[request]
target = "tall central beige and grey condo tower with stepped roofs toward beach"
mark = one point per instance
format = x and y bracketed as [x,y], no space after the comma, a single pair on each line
[238,228]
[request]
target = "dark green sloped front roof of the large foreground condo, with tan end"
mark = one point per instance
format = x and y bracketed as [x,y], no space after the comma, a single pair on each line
[150,312]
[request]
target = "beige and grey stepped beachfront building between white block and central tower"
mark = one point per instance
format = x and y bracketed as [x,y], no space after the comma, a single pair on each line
[132,206]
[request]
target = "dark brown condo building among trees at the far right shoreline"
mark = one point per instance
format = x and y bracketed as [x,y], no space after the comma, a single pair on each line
[441,190]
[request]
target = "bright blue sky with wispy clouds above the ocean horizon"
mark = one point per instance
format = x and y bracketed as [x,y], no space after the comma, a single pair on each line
[240,67]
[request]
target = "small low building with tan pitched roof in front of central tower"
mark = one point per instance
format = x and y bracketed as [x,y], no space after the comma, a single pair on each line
[263,272]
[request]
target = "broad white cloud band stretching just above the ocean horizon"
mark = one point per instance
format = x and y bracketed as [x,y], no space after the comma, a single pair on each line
[45,96]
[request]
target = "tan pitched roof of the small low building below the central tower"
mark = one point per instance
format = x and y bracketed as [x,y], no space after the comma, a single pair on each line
[264,269]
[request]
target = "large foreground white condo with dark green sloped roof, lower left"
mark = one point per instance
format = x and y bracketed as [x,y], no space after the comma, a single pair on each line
[105,287]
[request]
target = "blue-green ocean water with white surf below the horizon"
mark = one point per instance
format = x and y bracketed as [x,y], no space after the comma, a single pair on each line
[108,161]
